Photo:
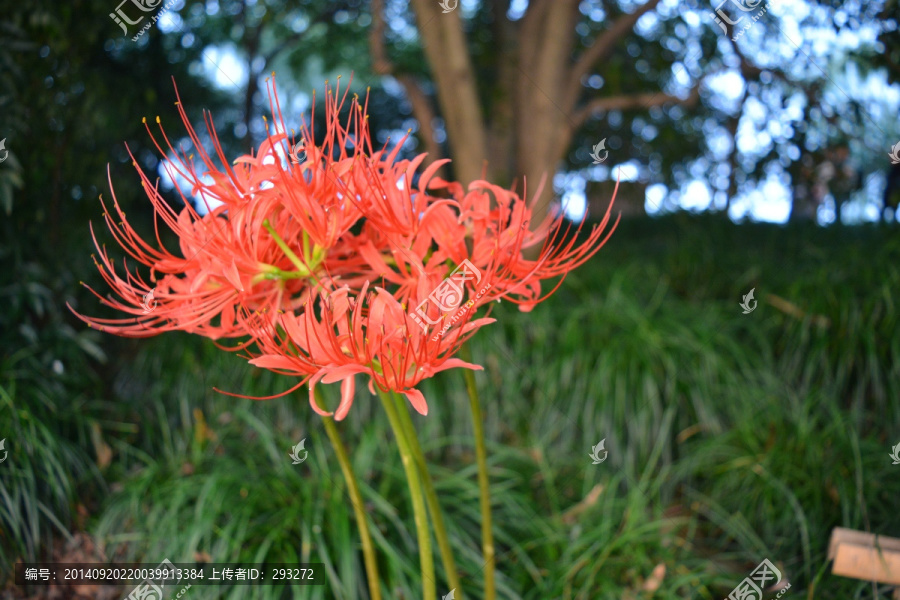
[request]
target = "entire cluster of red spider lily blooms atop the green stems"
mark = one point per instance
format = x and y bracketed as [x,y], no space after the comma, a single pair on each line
[335,266]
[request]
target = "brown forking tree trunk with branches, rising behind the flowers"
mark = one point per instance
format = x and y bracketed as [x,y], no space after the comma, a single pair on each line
[534,98]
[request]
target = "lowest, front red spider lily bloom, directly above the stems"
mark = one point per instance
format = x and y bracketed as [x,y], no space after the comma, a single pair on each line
[369,334]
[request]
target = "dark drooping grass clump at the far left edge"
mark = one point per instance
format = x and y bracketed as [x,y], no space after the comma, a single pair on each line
[50,412]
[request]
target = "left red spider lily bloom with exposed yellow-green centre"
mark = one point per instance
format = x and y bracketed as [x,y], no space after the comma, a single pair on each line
[268,230]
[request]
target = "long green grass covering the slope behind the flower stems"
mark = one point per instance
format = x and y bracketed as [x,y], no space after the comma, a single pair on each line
[732,438]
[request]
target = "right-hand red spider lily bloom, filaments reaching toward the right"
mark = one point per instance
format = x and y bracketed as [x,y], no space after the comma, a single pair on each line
[486,229]
